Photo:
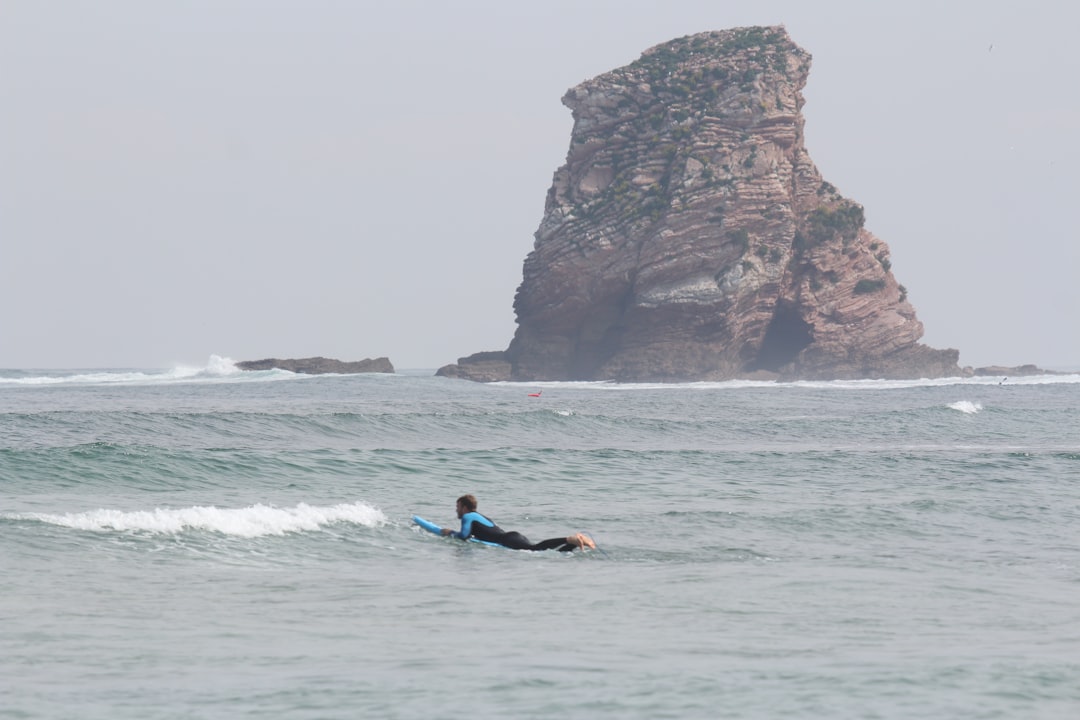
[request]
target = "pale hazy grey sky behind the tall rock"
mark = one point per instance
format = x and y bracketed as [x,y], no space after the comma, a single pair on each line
[352,180]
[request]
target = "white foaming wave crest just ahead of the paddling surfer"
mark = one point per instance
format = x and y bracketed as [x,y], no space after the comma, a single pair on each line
[254,522]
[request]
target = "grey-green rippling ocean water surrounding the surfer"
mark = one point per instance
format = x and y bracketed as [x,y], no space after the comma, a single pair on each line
[207,544]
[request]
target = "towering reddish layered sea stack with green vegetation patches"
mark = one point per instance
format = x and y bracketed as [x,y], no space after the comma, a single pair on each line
[690,237]
